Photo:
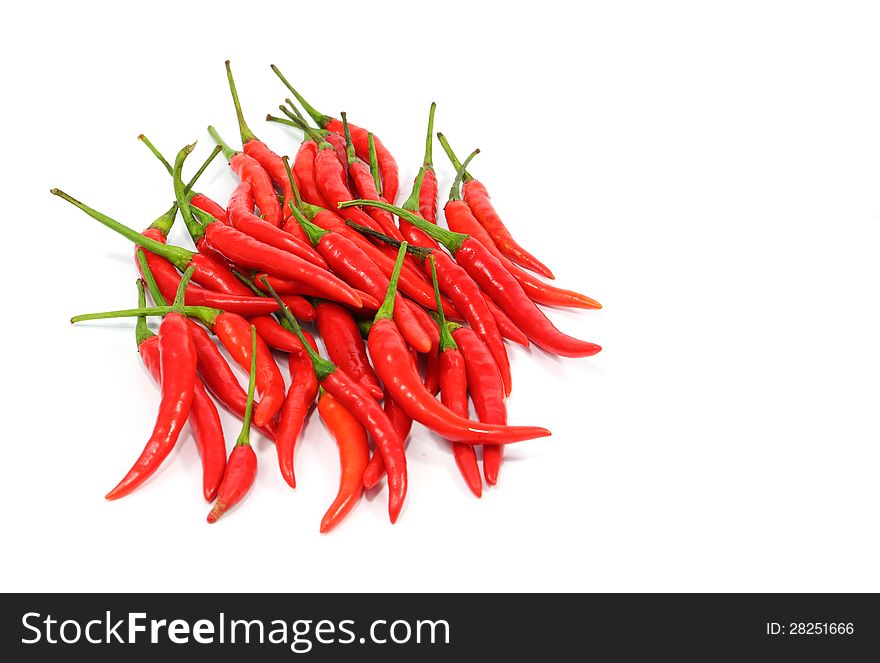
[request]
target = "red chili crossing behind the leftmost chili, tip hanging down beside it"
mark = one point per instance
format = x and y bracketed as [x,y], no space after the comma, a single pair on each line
[204,420]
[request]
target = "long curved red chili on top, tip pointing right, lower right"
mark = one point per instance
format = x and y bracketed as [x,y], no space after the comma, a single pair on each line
[391,361]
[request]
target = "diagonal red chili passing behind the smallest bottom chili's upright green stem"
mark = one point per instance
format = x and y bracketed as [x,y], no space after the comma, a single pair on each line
[211,364]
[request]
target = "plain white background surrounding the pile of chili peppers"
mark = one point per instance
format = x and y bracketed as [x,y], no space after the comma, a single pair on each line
[709,171]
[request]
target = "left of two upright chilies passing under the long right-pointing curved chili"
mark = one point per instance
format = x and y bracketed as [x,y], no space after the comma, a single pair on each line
[453,383]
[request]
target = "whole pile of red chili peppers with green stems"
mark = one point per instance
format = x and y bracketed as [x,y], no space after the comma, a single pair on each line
[406,310]
